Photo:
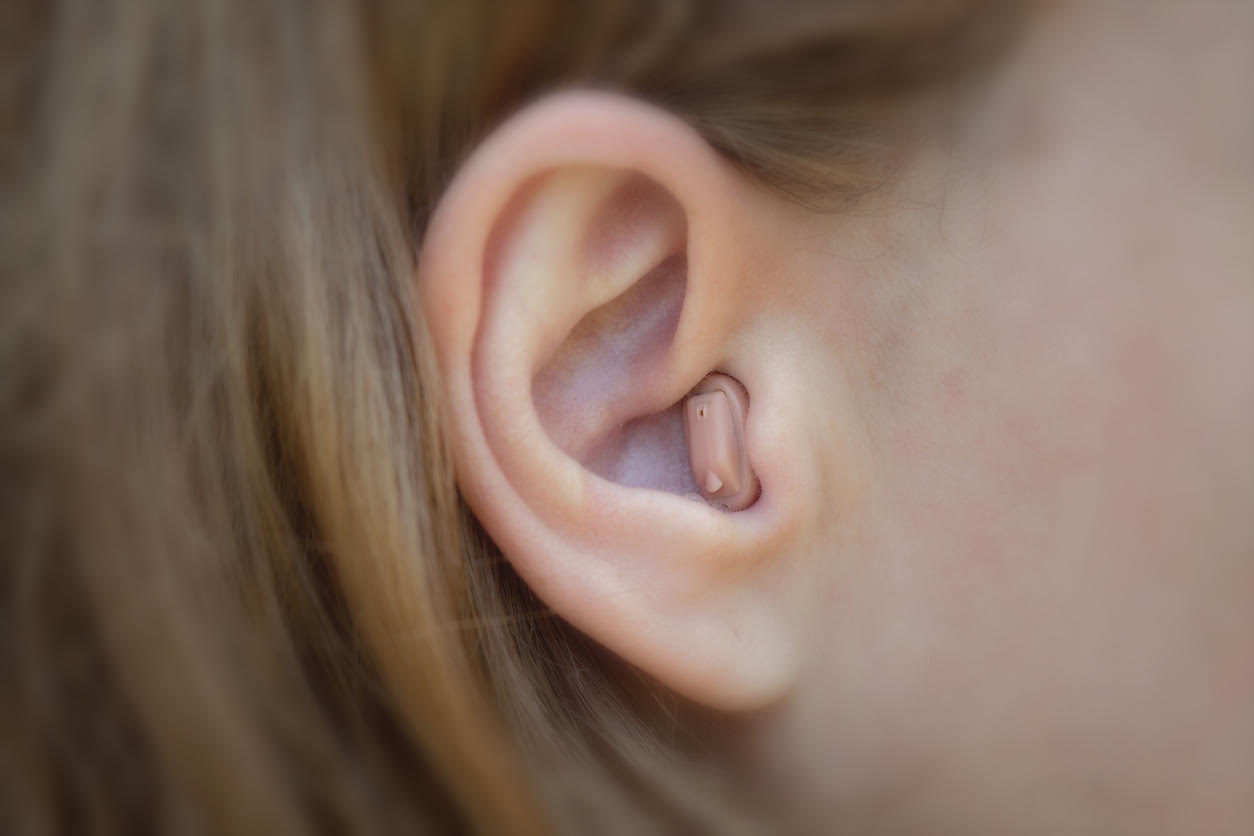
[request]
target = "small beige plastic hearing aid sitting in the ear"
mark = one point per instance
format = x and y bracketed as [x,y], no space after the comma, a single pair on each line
[714,422]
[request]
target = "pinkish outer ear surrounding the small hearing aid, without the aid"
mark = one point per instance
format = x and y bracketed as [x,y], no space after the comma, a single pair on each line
[585,271]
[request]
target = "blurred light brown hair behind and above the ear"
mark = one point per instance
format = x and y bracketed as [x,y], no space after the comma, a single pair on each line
[239,591]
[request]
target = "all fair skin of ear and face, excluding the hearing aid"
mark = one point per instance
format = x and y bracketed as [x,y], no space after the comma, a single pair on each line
[1001,576]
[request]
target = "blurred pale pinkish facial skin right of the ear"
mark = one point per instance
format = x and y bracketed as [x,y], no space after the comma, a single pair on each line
[1046,620]
